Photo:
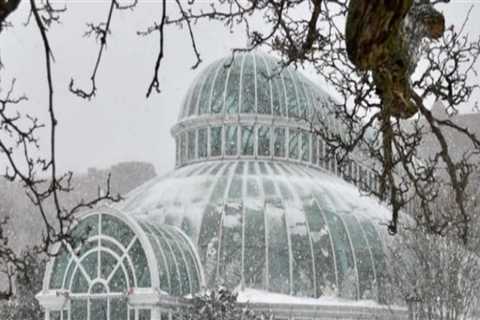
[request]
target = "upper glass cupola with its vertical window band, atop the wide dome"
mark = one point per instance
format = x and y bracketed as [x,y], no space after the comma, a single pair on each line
[247,108]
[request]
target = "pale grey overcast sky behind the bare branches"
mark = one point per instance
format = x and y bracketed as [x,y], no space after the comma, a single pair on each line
[120,124]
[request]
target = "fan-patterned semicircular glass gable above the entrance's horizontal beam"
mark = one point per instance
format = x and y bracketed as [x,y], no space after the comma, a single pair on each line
[108,251]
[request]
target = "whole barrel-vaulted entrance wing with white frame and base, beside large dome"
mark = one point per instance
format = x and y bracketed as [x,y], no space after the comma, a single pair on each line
[118,260]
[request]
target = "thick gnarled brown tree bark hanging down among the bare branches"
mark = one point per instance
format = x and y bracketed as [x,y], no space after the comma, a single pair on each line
[377,41]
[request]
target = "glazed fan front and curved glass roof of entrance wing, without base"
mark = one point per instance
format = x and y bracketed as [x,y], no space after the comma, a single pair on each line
[112,254]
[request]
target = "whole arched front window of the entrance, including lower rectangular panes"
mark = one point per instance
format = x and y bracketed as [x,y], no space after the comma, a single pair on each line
[98,272]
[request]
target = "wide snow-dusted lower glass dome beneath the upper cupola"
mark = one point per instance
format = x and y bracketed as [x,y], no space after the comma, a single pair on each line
[274,226]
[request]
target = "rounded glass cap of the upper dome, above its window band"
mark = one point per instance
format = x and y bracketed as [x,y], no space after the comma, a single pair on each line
[251,83]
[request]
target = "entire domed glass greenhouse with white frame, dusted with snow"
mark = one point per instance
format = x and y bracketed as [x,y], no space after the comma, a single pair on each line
[253,204]
